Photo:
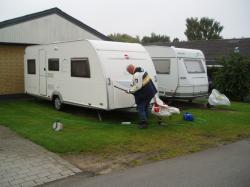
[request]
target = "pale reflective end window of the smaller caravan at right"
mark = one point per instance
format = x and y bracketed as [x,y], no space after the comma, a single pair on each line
[194,66]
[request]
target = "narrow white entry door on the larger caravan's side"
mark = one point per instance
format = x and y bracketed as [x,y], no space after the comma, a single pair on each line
[42,73]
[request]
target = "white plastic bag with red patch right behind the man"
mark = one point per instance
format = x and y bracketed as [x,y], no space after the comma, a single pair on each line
[161,109]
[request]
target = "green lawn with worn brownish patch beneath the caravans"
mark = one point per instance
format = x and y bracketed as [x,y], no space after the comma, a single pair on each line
[83,133]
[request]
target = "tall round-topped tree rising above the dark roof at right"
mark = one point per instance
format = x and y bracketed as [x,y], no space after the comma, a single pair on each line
[203,29]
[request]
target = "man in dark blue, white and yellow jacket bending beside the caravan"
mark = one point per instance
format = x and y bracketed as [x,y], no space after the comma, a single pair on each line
[143,90]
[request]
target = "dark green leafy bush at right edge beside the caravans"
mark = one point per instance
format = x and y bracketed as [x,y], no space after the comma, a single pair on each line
[233,79]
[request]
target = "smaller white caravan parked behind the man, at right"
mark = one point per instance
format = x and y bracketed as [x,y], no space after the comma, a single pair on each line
[181,73]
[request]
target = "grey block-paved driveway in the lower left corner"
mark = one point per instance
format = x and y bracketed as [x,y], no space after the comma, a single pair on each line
[23,163]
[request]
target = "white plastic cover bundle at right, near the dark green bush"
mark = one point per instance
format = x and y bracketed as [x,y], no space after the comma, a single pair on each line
[216,98]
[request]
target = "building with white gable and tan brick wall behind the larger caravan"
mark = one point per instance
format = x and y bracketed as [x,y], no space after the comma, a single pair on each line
[39,28]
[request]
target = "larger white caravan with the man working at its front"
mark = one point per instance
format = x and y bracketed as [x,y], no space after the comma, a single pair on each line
[84,72]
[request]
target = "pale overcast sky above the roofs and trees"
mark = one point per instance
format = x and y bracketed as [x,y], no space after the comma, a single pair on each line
[141,17]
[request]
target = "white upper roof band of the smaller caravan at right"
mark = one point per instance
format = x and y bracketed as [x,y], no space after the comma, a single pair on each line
[173,52]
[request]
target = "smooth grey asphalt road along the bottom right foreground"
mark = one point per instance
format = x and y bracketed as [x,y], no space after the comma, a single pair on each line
[223,166]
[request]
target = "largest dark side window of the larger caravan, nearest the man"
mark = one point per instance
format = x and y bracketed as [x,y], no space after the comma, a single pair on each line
[80,67]
